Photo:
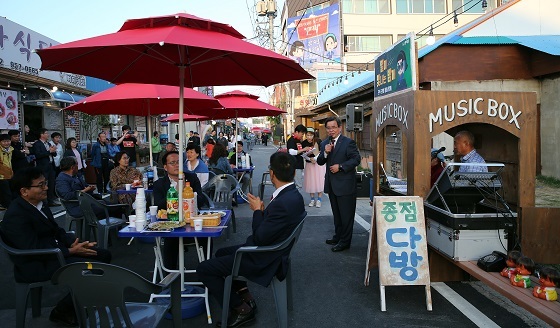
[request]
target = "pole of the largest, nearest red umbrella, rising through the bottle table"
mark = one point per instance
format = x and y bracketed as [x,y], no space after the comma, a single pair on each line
[181,181]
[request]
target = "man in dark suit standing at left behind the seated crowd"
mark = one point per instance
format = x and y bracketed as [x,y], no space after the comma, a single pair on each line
[44,156]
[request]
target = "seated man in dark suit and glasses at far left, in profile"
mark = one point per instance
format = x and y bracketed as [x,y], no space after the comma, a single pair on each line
[29,224]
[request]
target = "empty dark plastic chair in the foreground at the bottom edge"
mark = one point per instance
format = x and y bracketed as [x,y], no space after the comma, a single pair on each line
[98,293]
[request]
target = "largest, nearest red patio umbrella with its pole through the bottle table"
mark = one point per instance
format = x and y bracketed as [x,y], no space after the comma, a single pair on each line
[178,49]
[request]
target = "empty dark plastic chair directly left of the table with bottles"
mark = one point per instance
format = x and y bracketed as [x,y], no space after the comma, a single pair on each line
[104,225]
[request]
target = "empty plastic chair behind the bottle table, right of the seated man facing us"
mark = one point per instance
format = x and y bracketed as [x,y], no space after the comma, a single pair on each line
[221,189]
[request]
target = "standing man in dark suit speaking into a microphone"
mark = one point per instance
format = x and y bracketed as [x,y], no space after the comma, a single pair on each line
[341,155]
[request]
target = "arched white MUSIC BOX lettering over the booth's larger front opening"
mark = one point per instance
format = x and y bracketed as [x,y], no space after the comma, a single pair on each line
[487,108]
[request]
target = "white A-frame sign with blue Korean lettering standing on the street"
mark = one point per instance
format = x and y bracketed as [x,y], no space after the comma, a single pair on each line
[401,243]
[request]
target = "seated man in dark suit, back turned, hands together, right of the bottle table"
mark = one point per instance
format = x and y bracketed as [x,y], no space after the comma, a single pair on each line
[270,226]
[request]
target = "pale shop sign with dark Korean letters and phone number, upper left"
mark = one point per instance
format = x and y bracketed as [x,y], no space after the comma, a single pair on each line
[17,45]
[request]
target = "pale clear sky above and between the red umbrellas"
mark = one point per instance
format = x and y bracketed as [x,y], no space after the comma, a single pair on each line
[70,20]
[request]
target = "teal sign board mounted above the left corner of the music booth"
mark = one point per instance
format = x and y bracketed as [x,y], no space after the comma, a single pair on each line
[395,68]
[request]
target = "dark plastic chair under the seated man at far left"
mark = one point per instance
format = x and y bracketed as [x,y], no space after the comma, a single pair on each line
[35,289]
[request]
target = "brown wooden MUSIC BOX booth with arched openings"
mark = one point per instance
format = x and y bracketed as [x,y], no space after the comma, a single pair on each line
[504,125]
